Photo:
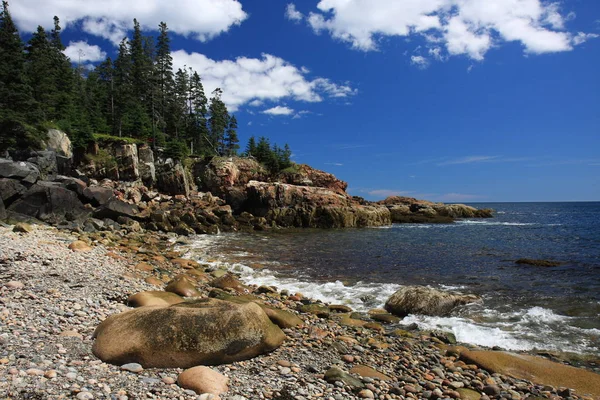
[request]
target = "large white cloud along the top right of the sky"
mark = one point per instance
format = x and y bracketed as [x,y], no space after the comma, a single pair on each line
[462,27]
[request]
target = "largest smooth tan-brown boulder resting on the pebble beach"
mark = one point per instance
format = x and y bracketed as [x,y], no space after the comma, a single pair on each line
[202,332]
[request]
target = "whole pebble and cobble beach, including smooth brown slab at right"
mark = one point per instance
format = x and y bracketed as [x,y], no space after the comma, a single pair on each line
[57,287]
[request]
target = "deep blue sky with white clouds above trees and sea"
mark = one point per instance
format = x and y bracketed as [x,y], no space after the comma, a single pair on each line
[448,100]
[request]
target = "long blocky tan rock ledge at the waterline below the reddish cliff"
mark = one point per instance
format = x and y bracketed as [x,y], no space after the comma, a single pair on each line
[311,207]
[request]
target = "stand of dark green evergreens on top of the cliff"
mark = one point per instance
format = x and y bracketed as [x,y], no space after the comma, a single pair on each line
[136,95]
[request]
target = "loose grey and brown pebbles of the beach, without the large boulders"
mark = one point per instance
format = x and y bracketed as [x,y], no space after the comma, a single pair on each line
[49,319]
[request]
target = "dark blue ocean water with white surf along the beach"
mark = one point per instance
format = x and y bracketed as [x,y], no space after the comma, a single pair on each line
[524,307]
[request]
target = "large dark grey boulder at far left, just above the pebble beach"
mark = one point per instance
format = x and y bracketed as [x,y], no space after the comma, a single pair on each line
[49,202]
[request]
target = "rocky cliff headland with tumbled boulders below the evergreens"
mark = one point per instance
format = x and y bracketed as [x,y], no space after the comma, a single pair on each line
[124,183]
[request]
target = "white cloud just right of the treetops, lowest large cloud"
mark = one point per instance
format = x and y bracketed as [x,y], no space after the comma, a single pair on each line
[256,80]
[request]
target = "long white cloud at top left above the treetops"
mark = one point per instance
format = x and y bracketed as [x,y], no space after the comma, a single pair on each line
[110,19]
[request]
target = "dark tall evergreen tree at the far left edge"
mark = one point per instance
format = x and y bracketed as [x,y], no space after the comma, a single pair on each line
[16,99]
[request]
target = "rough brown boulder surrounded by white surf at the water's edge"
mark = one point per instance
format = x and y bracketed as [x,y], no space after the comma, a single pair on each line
[426,301]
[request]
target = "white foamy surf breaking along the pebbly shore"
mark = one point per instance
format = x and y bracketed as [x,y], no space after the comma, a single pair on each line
[521,329]
